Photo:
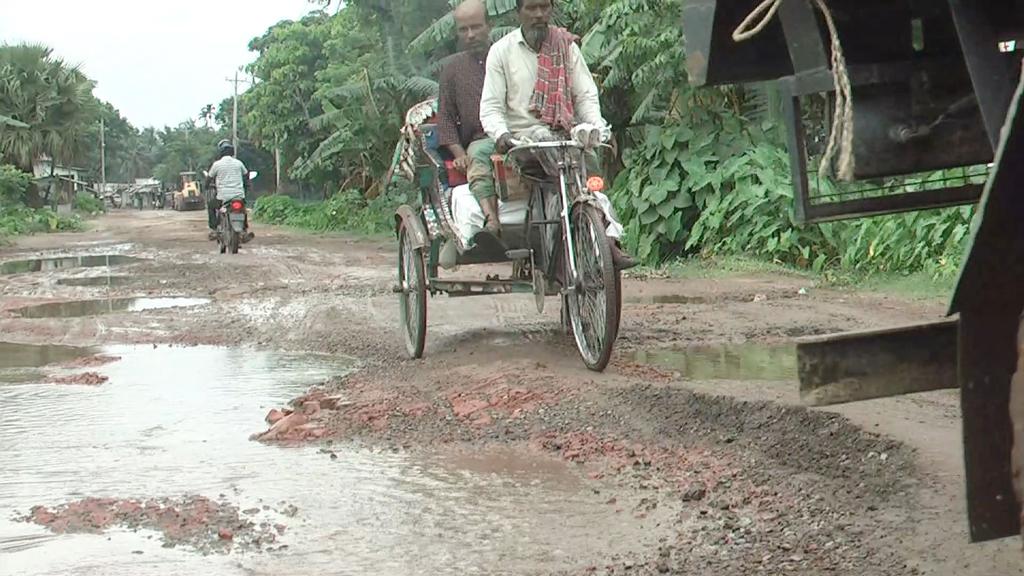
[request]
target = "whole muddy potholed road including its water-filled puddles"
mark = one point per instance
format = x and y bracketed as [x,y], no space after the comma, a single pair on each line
[169,410]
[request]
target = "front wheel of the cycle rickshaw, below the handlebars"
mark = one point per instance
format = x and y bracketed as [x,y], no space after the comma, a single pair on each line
[594,304]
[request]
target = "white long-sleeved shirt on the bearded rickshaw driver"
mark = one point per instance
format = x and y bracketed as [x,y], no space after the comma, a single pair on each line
[509,85]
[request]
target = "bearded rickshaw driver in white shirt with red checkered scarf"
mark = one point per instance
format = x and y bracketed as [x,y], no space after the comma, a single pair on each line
[537,79]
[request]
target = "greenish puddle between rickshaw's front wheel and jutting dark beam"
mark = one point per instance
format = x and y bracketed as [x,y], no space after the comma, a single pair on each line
[729,362]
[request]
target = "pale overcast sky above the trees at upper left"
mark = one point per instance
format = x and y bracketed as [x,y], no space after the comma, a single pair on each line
[157,62]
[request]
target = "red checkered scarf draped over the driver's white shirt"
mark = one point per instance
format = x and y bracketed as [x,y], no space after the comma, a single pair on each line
[552,101]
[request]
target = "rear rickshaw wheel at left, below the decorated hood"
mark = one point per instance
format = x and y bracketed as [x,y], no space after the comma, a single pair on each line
[412,296]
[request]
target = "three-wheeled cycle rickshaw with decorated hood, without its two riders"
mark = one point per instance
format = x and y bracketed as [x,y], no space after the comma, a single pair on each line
[561,249]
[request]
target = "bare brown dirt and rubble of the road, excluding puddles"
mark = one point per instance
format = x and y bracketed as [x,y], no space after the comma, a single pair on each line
[744,479]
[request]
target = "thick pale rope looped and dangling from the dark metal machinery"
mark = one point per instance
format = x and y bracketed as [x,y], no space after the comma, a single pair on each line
[841,137]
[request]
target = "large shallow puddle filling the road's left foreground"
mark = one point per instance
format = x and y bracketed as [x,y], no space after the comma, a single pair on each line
[174,422]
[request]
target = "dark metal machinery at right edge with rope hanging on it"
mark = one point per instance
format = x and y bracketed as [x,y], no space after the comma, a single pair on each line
[935,87]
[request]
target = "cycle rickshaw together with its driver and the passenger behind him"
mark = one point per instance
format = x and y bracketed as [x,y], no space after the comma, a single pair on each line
[528,148]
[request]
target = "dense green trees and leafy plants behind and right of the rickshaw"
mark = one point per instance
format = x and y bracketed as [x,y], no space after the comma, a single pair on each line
[703,172]
